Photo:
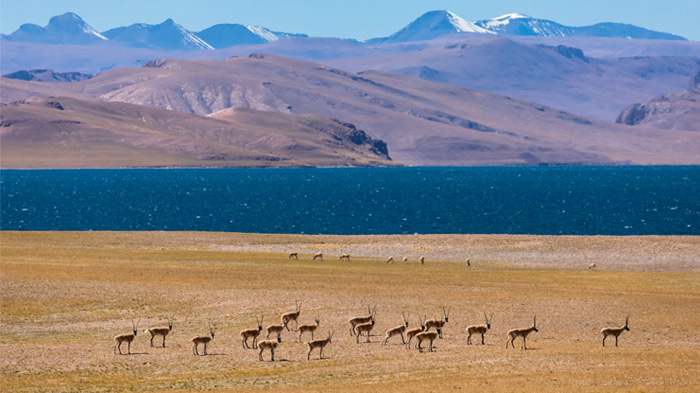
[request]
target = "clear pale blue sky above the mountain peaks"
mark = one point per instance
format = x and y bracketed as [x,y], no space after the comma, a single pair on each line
[359,19]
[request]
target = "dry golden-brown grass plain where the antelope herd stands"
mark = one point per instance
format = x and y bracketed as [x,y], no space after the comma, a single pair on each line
[65,295]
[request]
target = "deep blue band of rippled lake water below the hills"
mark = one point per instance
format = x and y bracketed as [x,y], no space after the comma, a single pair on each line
[512,200]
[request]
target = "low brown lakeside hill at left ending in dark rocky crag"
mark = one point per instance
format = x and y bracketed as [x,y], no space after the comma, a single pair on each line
[70,133]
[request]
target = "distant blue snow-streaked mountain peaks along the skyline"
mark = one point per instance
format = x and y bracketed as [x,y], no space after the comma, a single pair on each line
[69,28]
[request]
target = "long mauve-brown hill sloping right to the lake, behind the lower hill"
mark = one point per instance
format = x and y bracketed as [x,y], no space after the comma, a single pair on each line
[423,122]
